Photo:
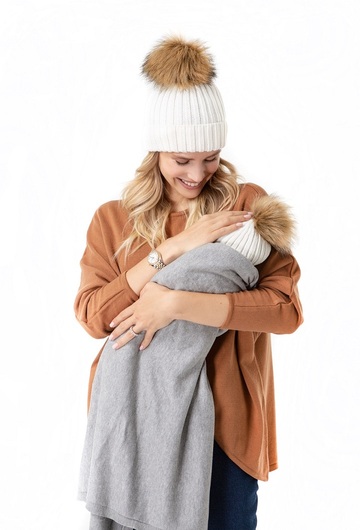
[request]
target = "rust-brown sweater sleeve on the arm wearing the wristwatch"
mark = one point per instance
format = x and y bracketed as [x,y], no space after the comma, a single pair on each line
[104,291]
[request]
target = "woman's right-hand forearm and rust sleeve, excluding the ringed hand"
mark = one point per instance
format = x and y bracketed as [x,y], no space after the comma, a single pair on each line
[272,307]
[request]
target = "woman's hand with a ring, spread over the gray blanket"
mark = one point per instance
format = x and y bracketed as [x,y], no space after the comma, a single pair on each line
[151,312]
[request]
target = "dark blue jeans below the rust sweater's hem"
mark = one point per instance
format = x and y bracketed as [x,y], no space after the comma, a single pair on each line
[233,495]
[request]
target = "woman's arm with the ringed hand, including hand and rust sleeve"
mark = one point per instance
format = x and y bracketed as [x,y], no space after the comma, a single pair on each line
[272,307]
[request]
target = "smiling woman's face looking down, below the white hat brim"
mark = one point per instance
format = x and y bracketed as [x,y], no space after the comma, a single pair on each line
[186,174]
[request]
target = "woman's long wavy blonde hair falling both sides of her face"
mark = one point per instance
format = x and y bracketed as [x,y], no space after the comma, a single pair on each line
[149,207]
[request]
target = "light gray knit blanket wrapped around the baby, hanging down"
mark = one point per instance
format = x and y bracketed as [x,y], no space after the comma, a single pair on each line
[148,448]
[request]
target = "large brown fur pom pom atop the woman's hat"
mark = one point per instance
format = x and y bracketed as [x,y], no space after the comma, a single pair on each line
[176,63]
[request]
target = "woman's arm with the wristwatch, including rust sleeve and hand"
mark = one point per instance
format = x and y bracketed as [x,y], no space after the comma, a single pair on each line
[106,290]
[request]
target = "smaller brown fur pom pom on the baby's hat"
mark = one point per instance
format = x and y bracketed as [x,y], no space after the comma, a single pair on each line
[274,221]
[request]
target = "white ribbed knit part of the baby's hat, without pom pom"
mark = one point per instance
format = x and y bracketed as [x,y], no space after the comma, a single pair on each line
[248,242]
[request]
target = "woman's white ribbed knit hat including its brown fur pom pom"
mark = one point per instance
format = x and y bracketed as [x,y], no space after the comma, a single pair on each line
[185,111]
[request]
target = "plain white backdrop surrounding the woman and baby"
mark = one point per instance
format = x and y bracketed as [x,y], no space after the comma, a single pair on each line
[70,123]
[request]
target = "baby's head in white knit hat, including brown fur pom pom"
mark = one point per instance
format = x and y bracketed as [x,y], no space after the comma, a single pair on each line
[271,225]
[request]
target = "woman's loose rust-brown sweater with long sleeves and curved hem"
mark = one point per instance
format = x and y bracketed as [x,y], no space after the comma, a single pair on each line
[240,362]
